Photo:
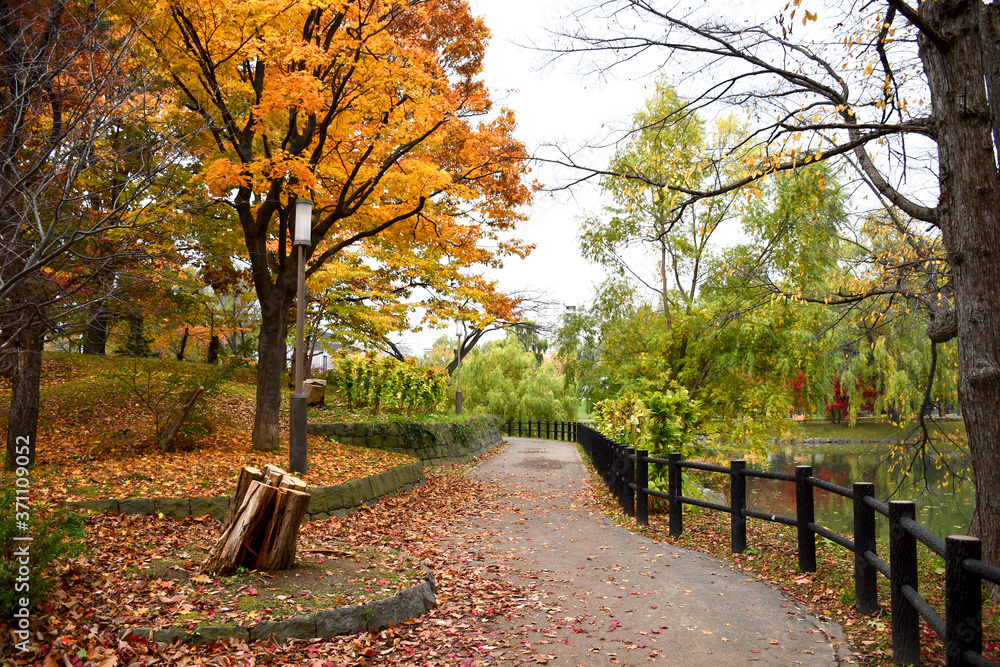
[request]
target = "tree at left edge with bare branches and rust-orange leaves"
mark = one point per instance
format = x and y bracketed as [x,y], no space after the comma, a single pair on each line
[81,163]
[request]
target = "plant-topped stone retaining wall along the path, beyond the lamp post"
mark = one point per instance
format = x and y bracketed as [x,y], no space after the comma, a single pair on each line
[432,443]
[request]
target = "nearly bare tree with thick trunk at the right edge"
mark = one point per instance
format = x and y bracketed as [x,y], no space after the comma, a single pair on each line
[898,90]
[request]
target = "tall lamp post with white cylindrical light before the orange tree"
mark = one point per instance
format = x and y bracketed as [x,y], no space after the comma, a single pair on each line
[302,239]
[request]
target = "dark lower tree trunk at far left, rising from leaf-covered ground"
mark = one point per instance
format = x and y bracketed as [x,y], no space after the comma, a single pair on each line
[22,427]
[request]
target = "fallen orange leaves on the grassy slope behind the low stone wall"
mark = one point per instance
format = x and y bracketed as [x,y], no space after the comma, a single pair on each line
[95,439]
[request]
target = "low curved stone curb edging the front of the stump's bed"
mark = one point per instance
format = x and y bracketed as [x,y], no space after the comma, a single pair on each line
[374,616]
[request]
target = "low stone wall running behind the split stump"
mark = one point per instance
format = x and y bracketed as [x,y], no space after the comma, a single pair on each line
[339,500]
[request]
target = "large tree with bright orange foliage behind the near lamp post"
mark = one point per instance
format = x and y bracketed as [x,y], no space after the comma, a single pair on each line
[368,108]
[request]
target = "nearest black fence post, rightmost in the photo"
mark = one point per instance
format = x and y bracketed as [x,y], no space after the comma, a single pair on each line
[963,618]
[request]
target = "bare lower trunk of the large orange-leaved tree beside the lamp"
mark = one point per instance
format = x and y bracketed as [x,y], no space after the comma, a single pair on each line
[270,365]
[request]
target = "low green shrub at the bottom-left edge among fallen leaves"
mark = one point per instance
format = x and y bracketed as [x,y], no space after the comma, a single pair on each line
[58,533]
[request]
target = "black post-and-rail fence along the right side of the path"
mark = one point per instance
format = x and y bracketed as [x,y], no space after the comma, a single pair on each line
[626,471]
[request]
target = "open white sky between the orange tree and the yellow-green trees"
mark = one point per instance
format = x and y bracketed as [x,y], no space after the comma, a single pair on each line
[559,104]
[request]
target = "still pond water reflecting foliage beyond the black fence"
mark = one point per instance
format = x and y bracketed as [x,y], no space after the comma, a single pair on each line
[940,484]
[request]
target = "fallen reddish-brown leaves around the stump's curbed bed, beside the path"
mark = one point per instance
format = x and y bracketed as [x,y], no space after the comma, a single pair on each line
[103,592]
